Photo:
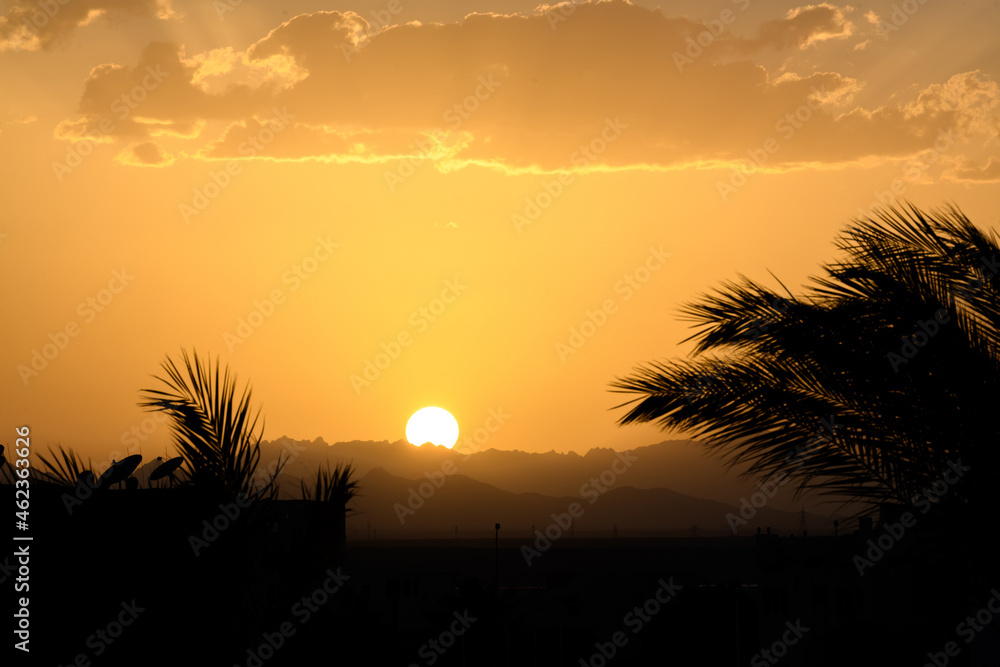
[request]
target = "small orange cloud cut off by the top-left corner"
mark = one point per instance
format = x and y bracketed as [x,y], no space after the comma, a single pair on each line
[30,25]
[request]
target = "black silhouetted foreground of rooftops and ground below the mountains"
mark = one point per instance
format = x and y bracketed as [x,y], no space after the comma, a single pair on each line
[157,577]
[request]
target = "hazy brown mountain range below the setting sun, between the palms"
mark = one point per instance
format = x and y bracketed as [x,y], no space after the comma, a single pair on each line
[670,487]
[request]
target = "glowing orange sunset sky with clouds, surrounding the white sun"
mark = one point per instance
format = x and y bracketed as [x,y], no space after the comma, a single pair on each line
[468,187]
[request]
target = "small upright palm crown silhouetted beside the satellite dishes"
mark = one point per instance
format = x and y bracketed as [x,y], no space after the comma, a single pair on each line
[213,428]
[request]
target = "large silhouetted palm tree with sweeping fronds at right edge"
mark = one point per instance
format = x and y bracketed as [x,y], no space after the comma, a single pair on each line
[872,386]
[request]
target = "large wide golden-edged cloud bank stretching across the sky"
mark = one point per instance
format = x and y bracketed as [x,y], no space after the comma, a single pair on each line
[511,93]
